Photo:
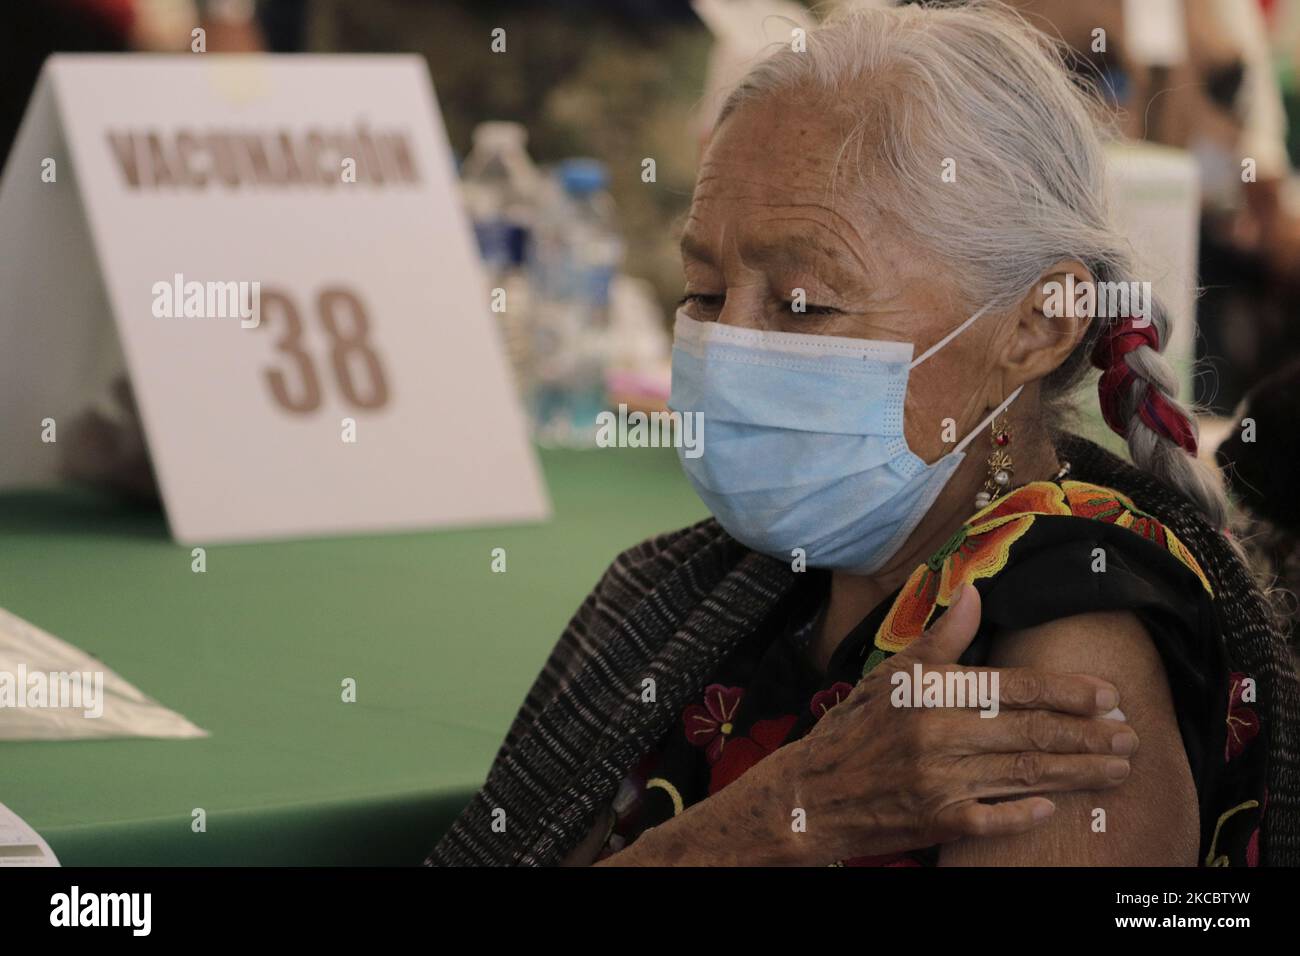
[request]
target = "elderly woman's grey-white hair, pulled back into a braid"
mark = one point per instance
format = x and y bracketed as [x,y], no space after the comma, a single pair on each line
[982,88]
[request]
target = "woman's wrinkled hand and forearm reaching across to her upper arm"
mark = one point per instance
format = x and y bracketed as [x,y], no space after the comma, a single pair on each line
[874,780]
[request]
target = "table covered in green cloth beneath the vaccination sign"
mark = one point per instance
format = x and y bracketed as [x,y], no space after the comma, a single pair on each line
[255,650]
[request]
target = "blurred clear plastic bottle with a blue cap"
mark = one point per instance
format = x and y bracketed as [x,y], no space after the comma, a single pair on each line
[578,252]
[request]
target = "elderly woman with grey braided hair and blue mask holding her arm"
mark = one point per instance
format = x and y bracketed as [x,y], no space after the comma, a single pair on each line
[878,231]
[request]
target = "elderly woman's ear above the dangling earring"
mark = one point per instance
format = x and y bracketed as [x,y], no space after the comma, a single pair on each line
[1050,322]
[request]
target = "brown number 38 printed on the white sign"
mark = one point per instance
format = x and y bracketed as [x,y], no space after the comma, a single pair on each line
[348,328]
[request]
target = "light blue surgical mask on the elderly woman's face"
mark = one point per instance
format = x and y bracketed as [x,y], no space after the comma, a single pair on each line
[805,442]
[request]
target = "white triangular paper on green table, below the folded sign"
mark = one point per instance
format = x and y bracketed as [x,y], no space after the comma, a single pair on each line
[53,691]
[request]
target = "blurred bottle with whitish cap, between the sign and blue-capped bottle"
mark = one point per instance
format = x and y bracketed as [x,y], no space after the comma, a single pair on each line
[501,188]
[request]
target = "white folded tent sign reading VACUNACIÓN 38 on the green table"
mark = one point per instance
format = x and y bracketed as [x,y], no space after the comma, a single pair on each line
[293,282]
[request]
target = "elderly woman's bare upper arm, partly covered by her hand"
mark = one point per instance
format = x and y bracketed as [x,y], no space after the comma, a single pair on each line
[1152,819]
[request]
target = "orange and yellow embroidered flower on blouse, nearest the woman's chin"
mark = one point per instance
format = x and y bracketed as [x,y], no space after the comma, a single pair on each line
[980,550]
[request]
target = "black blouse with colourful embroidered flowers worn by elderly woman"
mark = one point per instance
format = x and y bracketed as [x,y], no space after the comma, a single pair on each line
[1043,552]
